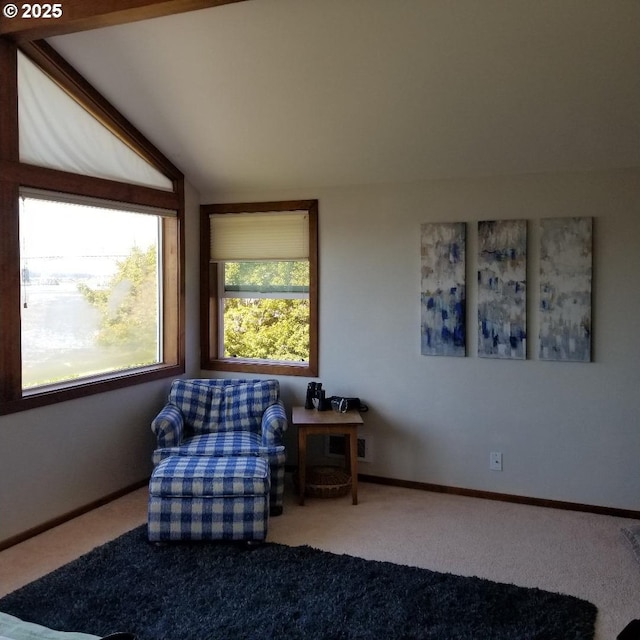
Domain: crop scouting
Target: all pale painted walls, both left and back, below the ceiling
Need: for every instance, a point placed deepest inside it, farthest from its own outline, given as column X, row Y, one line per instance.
column 568, row 431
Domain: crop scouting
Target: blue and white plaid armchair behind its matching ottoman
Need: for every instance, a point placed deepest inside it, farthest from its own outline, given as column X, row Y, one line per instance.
column 225, row 417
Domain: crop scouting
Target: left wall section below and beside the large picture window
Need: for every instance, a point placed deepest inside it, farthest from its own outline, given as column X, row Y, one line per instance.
column 59, row 458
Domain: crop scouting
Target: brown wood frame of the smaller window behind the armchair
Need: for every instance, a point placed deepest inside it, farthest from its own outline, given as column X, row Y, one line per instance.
column 210, row 298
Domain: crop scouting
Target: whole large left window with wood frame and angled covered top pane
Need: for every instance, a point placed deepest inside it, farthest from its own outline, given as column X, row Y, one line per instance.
column 91, row 240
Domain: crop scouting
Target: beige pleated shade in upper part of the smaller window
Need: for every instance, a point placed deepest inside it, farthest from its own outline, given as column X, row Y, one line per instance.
column 259, row 236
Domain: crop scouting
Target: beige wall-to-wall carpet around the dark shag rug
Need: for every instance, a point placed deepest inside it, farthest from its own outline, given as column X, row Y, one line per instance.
column 579, row 554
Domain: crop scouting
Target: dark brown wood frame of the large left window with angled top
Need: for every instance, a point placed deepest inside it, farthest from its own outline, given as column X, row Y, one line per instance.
column 15, row 174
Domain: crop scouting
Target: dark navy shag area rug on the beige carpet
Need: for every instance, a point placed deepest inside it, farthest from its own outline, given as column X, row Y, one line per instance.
column 199, row 591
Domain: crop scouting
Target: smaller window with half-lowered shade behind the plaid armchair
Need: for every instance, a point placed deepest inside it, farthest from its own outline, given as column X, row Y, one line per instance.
column 259, row 271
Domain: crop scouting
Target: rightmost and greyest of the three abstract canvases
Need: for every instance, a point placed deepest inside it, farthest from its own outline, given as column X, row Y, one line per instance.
column 566, row 257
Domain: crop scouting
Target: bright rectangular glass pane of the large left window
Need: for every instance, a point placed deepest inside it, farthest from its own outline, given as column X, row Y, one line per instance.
column 90, row 298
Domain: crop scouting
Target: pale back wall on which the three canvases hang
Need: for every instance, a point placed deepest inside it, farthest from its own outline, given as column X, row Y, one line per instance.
column 568, row 431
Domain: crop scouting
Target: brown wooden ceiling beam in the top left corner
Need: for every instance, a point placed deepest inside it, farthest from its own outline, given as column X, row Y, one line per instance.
column 82, row 15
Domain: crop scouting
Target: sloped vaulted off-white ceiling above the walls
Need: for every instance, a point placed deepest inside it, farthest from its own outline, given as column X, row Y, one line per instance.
column 277, row 94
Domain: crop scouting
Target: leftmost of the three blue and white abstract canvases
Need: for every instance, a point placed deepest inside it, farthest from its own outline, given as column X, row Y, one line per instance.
column 443, row 295
